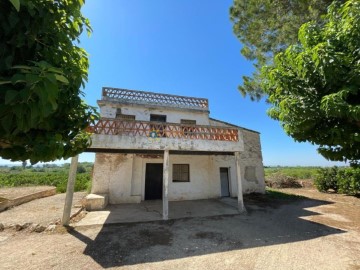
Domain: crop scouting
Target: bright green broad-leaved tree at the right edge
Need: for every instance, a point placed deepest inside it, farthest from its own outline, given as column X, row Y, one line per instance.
column 314, row 87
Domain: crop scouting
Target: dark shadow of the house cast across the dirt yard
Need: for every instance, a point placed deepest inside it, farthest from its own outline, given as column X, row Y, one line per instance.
column 267, row 223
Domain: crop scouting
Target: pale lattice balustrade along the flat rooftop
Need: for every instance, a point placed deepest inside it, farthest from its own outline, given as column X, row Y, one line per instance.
column 146, row 98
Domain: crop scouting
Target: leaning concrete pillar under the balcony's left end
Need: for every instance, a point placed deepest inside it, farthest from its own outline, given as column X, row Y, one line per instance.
column 70, row 191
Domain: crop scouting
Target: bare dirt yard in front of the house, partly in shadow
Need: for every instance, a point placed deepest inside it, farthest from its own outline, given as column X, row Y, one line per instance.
column 321, row 231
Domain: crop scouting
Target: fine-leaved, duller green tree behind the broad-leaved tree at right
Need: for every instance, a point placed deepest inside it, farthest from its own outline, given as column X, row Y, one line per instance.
column 267, row 27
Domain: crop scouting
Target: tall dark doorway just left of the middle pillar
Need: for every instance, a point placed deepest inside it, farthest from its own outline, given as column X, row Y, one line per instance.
column 153, row 181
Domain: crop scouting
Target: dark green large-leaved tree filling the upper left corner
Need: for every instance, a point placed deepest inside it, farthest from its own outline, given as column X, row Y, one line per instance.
column 42, row 116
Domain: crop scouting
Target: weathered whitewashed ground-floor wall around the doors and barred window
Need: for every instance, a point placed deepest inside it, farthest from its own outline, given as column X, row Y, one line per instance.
column 122, row 176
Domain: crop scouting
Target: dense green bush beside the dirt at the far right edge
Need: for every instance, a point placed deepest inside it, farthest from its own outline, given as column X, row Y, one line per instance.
column 344, row 180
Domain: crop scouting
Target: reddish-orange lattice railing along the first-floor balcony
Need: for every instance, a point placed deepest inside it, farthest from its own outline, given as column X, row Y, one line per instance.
column 162, row 130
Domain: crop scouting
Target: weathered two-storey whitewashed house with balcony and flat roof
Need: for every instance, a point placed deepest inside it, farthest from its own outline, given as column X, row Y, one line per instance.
column 153, row 146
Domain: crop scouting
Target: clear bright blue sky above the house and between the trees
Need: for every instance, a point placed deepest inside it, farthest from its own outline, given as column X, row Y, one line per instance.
column 182, row 47
